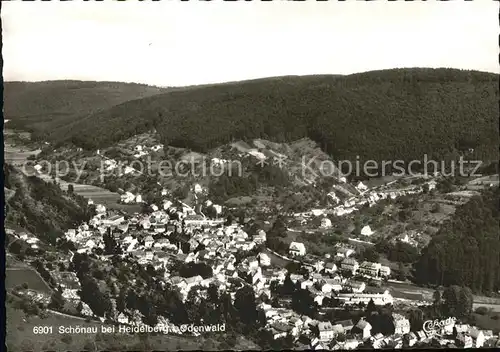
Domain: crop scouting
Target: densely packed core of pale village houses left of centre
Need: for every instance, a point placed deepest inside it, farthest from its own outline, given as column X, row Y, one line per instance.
column 145, row 238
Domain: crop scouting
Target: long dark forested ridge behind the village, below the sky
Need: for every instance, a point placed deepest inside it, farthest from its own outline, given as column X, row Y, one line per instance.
column 399, row 113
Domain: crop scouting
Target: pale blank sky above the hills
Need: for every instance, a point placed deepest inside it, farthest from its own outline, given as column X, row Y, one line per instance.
column 173, row 43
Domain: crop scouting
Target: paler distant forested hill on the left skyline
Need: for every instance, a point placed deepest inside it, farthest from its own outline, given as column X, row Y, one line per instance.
column 40, row 106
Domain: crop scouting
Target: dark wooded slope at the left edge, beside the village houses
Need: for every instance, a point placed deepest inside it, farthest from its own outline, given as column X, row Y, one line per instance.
column 42, row 207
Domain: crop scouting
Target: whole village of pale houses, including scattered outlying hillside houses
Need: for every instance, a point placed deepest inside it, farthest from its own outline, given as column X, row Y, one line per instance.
column 336, row 289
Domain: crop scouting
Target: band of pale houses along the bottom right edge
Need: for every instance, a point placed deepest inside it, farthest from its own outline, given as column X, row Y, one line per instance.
column 345, row 335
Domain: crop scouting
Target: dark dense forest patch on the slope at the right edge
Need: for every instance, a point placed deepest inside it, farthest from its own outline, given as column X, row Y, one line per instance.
column 466, row 251
